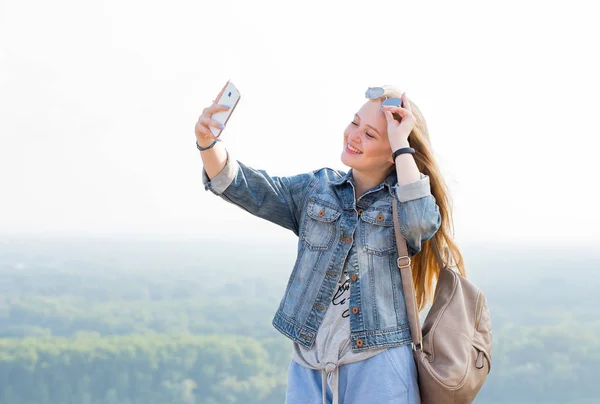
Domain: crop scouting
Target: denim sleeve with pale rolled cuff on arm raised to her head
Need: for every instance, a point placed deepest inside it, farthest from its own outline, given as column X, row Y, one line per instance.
column 419, row 213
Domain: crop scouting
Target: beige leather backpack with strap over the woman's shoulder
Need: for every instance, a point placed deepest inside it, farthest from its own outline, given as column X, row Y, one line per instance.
column 453, row 351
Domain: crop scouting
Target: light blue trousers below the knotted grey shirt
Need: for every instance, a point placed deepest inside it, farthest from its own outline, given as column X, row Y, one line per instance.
column 389, row 377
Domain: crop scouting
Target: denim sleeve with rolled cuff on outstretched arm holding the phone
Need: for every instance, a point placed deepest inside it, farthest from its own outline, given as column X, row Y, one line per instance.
column 273, row 198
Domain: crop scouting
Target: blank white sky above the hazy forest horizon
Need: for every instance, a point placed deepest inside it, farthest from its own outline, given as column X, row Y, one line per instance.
column 98, row 102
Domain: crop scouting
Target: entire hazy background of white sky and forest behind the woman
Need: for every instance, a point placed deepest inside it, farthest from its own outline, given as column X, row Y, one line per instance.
column 109, row 242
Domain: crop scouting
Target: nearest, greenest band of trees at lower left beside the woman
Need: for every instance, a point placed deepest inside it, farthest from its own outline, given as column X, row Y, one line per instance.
column 147, row 369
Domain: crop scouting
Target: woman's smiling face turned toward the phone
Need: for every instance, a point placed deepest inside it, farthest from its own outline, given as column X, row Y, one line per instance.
column 366, row 145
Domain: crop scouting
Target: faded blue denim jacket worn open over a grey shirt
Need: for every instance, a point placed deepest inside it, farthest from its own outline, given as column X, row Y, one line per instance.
column 321, row 209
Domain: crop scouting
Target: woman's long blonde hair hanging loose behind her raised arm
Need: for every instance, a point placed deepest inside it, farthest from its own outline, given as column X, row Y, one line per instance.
column 425, row 268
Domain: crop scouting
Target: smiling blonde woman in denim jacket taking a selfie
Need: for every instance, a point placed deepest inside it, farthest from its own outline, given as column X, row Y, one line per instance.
column 343, row 307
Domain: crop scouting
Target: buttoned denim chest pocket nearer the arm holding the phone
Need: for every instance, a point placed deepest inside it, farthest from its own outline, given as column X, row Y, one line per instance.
column 320, row 224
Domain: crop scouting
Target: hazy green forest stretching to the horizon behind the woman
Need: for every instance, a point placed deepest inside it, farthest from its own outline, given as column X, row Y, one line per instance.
column 138, row 322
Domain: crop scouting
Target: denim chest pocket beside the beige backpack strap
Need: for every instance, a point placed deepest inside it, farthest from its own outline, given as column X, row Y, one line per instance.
column 378, row 231
